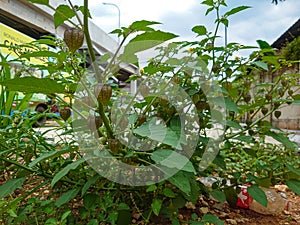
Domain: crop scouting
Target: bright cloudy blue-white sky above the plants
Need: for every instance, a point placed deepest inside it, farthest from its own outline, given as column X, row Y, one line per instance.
column 264, row 20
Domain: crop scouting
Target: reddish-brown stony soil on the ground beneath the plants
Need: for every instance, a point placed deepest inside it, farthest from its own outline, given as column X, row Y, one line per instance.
column 229, row 215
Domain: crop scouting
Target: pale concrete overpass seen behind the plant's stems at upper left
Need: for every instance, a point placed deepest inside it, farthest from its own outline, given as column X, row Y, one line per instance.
column 36, row 20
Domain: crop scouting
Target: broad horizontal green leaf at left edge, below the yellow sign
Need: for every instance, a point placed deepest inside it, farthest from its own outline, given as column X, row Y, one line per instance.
column 34, row 85
